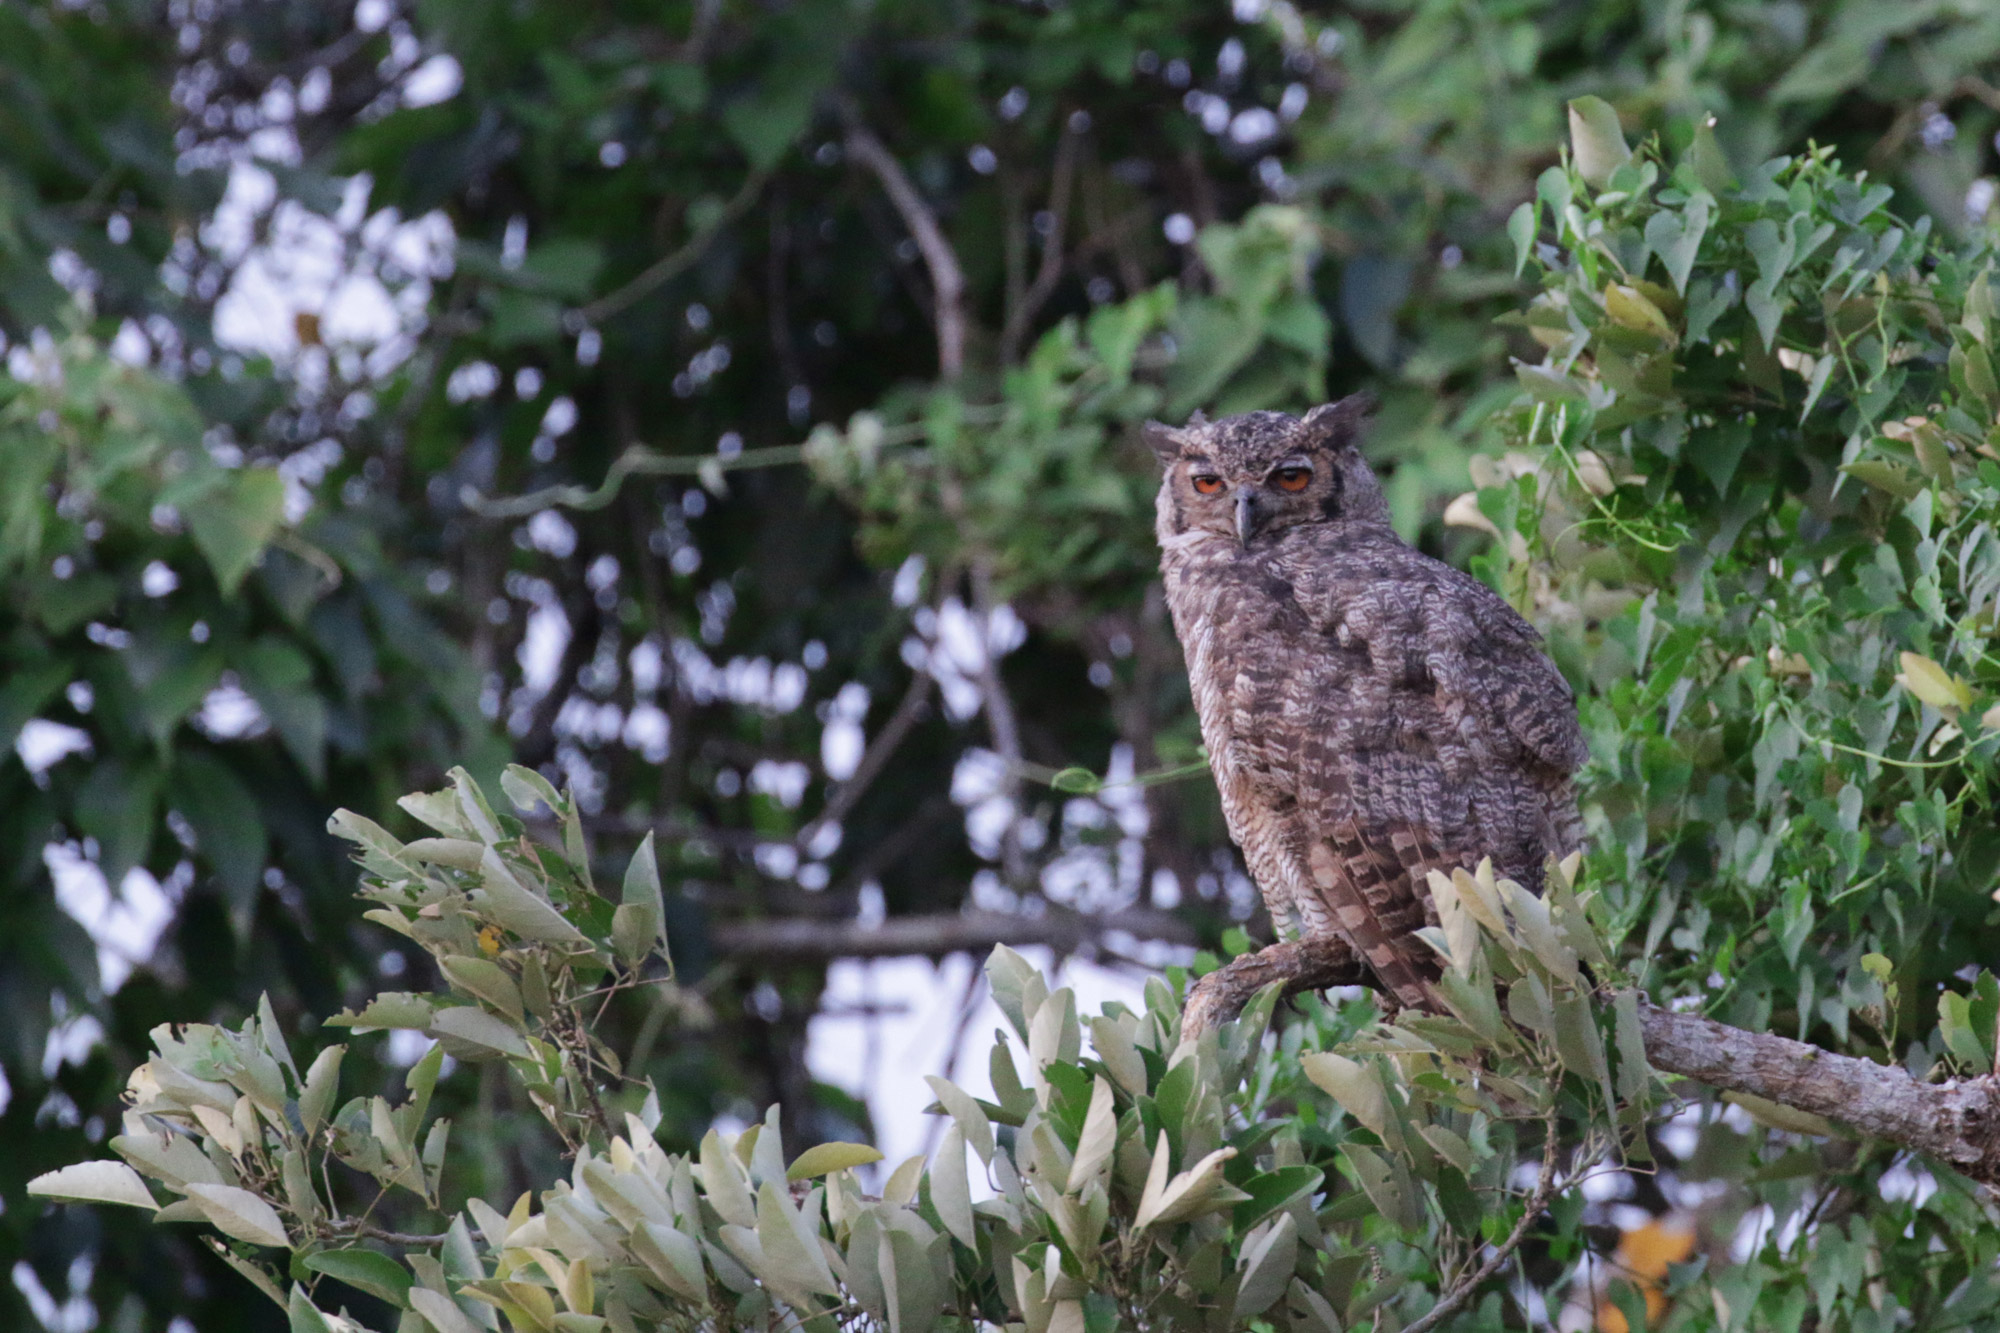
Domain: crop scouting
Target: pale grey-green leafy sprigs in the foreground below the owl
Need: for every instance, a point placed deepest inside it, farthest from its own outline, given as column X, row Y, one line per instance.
column 1149, row 1180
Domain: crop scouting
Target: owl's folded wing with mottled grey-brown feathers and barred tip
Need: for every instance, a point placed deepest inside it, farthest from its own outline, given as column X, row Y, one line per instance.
column 1443, row 736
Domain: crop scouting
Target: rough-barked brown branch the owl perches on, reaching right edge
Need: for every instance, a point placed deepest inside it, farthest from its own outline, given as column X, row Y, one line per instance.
column 1957, row 1122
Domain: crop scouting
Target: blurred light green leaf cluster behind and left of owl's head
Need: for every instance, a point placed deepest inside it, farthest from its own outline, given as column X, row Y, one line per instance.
column 1049, row 485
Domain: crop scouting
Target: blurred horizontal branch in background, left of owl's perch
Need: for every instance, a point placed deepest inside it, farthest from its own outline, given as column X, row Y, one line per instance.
column 793, row 940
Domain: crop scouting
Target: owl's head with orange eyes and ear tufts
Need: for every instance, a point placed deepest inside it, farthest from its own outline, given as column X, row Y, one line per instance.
column 1257, row 475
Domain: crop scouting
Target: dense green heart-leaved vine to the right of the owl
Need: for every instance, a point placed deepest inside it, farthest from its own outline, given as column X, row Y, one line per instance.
column 1753, row 495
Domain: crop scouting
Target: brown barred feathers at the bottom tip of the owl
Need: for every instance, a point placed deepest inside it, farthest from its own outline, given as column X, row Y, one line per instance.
column 1375, row 886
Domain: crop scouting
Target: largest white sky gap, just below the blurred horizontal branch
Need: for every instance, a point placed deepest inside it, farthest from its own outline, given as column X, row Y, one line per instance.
column 885, row 1058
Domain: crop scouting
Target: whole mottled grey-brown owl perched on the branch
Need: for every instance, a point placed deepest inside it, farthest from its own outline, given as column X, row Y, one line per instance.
column 1371, row 716
